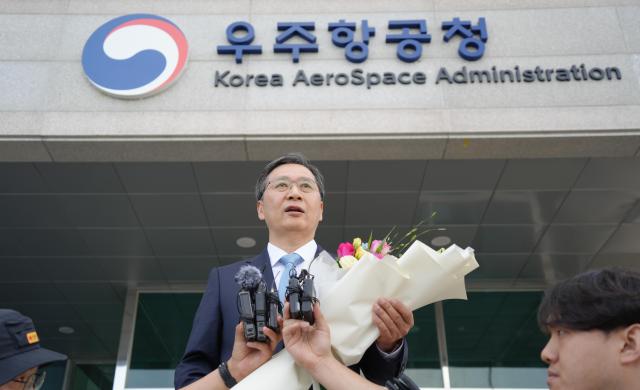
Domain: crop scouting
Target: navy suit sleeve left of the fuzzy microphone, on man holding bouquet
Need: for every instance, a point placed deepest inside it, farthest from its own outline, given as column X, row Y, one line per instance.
column 202, row 354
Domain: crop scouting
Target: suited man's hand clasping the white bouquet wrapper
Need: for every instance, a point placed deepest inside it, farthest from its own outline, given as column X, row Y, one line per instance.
column 394, row 320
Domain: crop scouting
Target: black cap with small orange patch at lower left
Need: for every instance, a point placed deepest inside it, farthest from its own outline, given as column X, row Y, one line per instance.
column 20, row 346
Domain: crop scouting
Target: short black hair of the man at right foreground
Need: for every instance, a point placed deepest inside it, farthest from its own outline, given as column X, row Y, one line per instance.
column 606, row 300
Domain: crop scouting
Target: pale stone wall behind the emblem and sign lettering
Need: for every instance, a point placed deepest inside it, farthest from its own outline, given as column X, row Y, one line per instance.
column 50, row 112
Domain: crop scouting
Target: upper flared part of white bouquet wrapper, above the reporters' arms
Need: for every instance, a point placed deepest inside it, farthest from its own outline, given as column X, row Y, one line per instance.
column 420, row 277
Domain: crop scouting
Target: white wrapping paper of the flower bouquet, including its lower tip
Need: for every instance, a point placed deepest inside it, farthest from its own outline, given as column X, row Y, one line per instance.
column 421, row 276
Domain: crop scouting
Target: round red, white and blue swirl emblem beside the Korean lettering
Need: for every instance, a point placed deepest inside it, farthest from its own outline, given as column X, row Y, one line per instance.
column 134, row 56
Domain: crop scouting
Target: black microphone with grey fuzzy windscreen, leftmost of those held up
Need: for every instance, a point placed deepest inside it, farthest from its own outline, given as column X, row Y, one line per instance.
column 248, row 278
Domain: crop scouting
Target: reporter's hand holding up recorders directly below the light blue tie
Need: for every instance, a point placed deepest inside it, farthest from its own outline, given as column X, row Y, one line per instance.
column 308, row 344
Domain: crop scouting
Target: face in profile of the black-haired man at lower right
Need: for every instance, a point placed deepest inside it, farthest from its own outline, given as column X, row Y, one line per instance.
column 581, row 360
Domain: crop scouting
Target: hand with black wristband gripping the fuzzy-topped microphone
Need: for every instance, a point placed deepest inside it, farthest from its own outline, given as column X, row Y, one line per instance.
column 248, row 356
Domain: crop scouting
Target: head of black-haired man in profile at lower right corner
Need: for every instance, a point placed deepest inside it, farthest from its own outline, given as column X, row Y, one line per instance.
column 593, row 321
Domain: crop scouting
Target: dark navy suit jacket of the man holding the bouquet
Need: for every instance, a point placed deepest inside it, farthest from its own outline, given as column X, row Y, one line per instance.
column 213, row 332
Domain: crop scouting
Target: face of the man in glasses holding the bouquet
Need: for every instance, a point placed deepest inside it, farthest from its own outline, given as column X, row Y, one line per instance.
column 292, row 210
